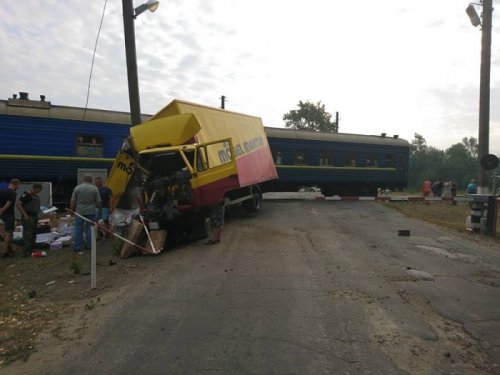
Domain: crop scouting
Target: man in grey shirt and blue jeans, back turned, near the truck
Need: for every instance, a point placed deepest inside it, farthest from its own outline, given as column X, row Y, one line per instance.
column 85, row 200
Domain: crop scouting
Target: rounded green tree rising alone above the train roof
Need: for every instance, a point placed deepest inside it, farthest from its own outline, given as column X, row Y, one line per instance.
column 310, row 116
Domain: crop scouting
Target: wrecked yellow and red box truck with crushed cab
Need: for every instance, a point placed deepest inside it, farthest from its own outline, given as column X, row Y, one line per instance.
column 188, row 158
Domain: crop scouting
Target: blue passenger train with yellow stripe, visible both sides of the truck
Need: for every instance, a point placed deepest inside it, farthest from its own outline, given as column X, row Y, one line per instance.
column 44, row 142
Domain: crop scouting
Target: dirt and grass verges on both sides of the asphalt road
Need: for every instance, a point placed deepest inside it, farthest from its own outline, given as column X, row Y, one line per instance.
column 37, row 294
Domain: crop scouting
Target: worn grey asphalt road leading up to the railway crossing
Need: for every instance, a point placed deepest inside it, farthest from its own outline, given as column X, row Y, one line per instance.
column 305, row 287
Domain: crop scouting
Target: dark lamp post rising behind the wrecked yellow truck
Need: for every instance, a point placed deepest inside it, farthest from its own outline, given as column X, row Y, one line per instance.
column 129, row 15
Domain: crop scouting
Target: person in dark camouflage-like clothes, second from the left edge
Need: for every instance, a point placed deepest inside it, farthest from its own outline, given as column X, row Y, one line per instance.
column 29, row 206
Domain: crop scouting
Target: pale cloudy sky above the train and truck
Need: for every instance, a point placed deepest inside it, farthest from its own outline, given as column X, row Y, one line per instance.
column 397, row 67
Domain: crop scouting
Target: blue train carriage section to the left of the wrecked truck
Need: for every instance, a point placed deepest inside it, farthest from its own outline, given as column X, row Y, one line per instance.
column 43, row 142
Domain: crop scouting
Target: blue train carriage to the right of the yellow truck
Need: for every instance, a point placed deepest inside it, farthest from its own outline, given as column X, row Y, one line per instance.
column 343, row 164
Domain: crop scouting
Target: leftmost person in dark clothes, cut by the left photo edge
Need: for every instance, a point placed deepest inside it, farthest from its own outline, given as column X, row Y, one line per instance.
column 7, row 203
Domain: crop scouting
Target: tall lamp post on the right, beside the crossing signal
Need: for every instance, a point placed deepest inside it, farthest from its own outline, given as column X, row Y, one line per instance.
column 484, row 88
